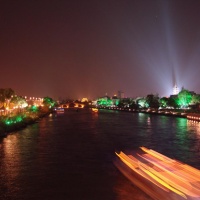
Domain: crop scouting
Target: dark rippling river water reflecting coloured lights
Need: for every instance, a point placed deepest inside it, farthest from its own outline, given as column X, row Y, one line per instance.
column 70, row 156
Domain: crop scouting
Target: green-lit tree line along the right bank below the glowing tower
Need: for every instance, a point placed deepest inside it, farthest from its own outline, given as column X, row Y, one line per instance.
column 184, row 99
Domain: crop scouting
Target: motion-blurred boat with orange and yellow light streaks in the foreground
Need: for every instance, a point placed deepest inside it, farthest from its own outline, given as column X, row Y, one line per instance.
column 160, row 176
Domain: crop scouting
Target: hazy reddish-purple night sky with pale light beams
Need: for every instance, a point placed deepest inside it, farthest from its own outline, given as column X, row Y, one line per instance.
column 76, row 49
